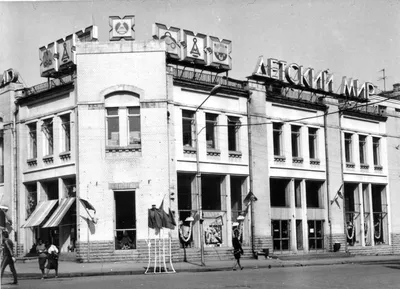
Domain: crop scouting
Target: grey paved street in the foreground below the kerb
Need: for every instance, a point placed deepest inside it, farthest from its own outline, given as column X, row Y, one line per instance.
column 334, row 276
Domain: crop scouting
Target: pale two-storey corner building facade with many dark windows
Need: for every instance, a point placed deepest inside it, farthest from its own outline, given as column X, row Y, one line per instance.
column 90, row 154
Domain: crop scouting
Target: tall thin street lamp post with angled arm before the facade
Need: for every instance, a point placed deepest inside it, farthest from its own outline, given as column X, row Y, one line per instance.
column 213, row 91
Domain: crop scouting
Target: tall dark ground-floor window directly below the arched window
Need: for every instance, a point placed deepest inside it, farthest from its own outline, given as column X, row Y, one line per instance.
column 125, row 220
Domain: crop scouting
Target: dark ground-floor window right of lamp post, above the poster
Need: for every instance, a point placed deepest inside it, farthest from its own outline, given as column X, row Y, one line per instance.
column 211, row 192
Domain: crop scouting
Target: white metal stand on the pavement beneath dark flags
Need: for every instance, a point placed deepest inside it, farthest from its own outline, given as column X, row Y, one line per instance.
column 159, row 249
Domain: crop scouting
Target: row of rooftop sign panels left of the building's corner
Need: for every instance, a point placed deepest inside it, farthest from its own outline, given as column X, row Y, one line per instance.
column 58, row 58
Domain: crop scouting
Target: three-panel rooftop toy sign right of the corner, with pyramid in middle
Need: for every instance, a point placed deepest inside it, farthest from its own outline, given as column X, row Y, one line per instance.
column 188, row 47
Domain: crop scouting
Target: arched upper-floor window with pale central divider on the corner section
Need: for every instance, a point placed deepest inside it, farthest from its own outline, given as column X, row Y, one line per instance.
column 123, row 119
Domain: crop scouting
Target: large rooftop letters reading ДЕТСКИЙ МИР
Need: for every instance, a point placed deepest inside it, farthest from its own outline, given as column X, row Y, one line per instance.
column 306, row 77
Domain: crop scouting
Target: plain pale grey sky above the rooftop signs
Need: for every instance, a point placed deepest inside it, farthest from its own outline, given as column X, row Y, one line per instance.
column 353, row 38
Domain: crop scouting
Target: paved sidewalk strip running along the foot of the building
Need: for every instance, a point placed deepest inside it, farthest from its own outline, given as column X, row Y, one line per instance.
column 67, row 269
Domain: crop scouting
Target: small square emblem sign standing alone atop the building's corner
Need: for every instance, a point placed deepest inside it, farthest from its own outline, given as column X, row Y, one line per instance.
column 122, row 28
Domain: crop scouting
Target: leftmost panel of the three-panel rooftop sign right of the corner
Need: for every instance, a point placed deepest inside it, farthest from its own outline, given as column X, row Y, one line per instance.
column 172, row 38
